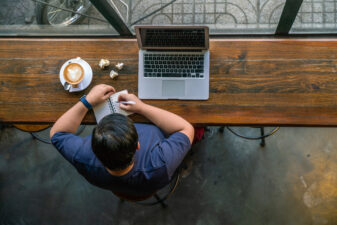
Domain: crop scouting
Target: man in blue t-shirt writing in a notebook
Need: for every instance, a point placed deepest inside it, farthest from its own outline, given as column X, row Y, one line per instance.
column 133, row 160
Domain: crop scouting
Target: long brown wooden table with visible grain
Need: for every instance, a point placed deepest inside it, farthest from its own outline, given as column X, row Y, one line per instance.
column 287, row 82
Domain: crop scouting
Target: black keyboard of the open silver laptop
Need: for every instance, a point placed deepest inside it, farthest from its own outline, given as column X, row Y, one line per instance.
column 174, row 65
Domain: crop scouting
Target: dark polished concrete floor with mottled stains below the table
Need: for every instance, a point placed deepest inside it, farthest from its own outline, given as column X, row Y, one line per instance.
column 293, row 180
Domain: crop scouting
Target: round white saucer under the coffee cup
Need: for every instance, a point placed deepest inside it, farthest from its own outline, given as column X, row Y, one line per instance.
column 87, row 74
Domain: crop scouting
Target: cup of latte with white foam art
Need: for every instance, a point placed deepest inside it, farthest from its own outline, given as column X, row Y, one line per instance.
column 73, row 74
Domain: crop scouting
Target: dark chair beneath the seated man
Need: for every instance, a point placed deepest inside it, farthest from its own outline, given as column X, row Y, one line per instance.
column 158, row 199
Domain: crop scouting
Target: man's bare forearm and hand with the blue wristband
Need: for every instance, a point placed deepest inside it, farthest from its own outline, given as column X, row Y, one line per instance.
column 70, row 120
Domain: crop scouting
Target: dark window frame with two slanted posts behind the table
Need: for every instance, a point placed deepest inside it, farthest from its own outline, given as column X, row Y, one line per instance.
column 287, row 18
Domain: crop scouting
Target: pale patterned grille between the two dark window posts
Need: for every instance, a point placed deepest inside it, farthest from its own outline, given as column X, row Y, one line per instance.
column 227, row 14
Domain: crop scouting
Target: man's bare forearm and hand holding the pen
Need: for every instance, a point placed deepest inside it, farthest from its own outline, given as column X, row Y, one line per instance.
column 165, row 120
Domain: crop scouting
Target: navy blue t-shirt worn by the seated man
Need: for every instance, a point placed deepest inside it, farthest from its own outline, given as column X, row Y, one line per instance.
column 155, row 161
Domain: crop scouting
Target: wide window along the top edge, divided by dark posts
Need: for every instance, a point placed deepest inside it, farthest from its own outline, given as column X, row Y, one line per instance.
column 118, row 17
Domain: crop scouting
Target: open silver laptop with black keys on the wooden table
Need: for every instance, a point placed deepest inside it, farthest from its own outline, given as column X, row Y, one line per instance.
column 173, row 62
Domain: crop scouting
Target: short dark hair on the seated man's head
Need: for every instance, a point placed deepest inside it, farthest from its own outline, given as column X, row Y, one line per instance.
column 114, row 141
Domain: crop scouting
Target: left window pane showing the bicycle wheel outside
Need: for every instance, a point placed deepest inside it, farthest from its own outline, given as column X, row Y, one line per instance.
column 39, row 17
